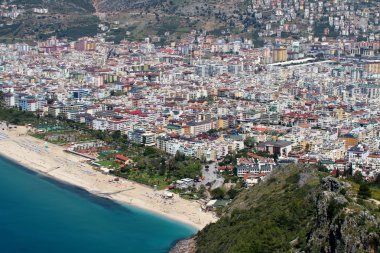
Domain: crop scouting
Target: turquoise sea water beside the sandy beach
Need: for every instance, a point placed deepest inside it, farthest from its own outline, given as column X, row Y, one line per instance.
column 38, row 215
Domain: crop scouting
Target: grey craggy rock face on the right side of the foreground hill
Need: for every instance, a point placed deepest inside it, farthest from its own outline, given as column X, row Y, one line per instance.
column 336, row 227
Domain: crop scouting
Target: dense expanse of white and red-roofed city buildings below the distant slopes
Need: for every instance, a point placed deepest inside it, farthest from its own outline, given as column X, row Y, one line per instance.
column 205, row 96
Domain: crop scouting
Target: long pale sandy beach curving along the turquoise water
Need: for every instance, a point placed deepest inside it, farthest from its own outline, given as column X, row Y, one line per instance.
column 56, row 163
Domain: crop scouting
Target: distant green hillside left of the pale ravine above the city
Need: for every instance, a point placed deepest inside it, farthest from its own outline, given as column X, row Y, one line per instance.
column 27, row 20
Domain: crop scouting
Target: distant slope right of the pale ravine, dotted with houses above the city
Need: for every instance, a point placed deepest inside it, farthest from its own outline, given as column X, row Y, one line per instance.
column 261, row 21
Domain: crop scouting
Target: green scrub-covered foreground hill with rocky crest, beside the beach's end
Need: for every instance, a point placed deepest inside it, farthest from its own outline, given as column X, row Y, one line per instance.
column 298, row 209
